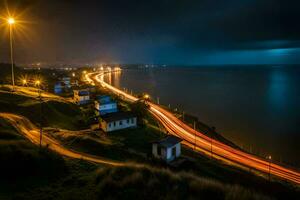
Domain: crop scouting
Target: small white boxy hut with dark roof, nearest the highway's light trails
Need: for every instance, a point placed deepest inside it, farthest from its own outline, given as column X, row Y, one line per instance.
column 167, row 149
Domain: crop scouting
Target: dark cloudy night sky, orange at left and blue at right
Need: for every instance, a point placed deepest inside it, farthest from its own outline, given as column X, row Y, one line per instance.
column 191, row 32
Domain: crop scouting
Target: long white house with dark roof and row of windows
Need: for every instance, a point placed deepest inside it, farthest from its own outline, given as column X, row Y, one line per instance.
column 118, row 120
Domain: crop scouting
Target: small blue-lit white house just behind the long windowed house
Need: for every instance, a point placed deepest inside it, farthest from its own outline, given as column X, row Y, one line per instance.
column 105, row 105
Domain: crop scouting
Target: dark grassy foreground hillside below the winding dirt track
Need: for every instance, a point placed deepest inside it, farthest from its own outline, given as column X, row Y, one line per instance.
column 30, row 173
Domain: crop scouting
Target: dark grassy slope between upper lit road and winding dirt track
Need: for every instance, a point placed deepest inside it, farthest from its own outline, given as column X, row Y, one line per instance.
column 53, row 112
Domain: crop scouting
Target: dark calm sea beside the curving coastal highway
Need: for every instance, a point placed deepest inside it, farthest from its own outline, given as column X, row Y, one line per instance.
column 256, row 107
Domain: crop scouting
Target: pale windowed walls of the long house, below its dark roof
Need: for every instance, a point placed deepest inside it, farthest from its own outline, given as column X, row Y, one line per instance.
column 113, row 126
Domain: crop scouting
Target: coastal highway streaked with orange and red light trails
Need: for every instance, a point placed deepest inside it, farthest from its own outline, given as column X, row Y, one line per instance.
column 199, row 140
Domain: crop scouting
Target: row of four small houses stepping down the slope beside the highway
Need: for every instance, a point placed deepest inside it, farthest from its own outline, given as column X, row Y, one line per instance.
column 111, row 119
